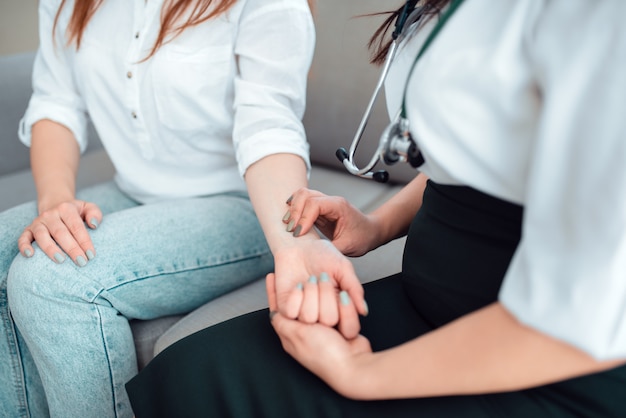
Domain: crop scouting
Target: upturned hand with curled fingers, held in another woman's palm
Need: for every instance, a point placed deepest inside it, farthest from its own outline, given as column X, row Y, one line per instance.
column 311, row 281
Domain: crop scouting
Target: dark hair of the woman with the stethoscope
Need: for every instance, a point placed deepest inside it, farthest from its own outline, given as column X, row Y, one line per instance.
column 380, row 42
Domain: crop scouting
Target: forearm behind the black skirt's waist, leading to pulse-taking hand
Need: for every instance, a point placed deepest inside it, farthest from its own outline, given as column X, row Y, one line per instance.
column 395, row 215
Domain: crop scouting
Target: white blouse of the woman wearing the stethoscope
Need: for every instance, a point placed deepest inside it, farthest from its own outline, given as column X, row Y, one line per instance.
column 525, row 100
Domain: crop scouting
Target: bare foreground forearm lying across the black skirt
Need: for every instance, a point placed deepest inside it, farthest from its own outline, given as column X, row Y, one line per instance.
column 484, row 352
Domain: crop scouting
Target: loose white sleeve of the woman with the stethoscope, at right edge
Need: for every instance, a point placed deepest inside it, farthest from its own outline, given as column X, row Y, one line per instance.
column 568, row 276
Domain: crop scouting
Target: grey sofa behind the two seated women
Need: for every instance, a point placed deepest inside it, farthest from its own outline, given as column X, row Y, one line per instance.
column 341, row 81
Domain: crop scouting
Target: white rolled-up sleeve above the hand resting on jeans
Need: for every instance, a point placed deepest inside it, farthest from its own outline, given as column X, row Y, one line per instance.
column 55, row 96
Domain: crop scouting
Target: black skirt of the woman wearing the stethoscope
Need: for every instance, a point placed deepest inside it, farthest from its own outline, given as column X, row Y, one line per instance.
column 457, row 251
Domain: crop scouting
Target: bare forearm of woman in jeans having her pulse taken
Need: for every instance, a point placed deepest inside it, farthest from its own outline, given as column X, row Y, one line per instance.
column 270, row 182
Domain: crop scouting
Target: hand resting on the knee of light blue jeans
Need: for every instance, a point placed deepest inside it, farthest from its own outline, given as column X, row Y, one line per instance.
column 61, row 230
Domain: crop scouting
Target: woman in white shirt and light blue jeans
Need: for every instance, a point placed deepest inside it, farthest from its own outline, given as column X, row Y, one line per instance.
column 198, row 104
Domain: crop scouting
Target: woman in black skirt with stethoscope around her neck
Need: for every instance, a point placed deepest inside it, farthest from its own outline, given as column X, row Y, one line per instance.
column 512, row 298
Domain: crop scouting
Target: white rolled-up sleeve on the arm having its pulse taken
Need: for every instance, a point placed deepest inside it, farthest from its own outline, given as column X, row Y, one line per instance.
column 274, row 49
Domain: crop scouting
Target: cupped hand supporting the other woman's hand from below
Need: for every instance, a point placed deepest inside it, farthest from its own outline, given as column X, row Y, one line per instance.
column 323, row 350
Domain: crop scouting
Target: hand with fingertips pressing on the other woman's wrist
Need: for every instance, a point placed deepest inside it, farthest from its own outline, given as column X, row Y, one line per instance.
column 351, row 231
